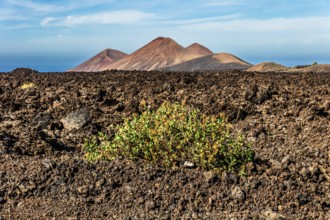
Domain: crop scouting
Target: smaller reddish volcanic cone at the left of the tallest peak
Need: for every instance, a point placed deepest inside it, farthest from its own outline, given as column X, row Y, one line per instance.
column 100, row 61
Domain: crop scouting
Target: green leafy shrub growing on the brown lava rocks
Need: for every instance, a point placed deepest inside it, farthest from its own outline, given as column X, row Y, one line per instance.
column 174, row 134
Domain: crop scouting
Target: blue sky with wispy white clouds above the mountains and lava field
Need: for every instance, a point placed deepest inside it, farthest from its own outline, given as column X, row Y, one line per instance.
column 59, row 34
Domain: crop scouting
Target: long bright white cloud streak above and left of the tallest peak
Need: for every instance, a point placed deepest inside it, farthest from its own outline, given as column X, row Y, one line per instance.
column 113, row 17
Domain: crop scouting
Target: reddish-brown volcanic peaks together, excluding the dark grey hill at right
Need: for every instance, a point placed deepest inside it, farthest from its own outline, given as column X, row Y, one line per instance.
column 158, row 53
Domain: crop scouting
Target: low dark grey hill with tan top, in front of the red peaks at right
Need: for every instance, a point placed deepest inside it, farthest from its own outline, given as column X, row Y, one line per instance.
column 214, row 62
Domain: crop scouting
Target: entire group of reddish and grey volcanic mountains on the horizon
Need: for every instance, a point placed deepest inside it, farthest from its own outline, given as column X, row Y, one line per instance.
column 164, row 53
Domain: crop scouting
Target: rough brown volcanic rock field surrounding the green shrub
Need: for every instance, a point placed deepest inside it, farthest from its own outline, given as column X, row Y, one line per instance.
column 42, row 130
